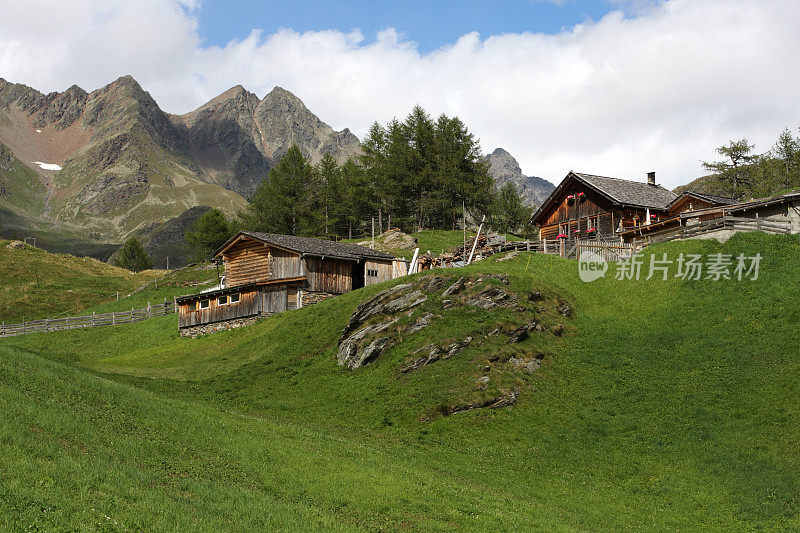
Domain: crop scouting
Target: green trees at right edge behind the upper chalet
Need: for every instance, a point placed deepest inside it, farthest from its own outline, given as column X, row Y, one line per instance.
column 743, row 173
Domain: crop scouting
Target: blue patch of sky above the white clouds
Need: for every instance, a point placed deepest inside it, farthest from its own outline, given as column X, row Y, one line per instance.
column 431, row 24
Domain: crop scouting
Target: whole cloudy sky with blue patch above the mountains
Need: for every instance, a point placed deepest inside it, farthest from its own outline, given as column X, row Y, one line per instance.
column 611, row 87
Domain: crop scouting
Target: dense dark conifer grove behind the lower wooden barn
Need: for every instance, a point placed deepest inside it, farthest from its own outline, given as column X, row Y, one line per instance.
column 416, row 174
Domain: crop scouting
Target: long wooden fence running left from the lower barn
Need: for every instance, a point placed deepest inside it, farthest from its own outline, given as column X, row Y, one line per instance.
column 87, row 321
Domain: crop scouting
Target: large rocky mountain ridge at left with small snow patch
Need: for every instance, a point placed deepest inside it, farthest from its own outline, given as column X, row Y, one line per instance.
column 113, row 163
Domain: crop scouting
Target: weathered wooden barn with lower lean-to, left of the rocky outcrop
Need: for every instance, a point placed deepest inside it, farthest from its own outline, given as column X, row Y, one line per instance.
column 267, row 273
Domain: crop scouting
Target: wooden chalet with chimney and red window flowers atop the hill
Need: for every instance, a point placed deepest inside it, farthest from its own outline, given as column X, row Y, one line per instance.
column 588, row 206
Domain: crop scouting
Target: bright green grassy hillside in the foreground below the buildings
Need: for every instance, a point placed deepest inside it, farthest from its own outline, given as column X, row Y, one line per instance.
column 663, row 405
